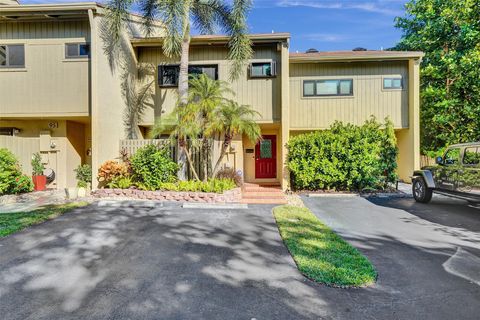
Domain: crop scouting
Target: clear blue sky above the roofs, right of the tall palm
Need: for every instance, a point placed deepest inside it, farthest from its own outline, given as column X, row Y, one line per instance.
column 325, row 25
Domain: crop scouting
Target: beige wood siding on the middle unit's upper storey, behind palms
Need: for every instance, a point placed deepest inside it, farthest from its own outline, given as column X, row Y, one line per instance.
column 262, row 94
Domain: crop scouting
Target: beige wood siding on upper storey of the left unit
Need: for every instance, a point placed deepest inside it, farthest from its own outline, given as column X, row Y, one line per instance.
column 49, row 84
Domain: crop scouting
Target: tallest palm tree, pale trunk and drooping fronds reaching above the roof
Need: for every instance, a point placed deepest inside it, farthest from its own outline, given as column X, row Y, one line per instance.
column 178, row 17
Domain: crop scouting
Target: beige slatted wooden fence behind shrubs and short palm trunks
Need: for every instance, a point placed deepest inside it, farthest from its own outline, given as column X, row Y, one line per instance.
column 131, row 146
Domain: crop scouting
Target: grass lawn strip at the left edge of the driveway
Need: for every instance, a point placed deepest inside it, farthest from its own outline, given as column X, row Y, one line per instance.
column 13, row 222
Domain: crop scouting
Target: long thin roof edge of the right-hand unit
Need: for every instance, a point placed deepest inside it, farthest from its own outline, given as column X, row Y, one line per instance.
column 370, row 55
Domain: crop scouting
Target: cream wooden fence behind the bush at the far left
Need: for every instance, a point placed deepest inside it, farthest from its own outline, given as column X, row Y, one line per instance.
column 22, row 148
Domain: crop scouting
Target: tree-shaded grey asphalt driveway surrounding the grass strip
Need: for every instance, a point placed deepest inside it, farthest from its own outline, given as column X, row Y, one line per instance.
column 175, row 263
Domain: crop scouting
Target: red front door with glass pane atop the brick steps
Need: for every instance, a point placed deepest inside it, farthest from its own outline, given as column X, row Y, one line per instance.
column 266, row 158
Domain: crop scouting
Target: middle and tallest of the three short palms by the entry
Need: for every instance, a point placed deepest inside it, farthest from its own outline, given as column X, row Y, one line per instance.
column 206, row 96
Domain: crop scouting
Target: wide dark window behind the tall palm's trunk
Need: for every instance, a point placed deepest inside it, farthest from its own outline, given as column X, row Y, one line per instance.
column 168, row 74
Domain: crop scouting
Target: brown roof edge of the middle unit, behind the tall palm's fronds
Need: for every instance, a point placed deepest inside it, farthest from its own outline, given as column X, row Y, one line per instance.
column 215, row 39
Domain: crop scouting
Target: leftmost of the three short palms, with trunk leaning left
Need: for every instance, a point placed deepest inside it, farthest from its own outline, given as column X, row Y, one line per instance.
column 183, row 125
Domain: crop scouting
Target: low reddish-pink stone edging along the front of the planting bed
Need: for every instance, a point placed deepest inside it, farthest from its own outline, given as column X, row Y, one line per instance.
column 230, row 196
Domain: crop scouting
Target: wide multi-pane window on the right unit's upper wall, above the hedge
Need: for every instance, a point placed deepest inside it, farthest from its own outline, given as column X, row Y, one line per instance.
column 318, row 88
